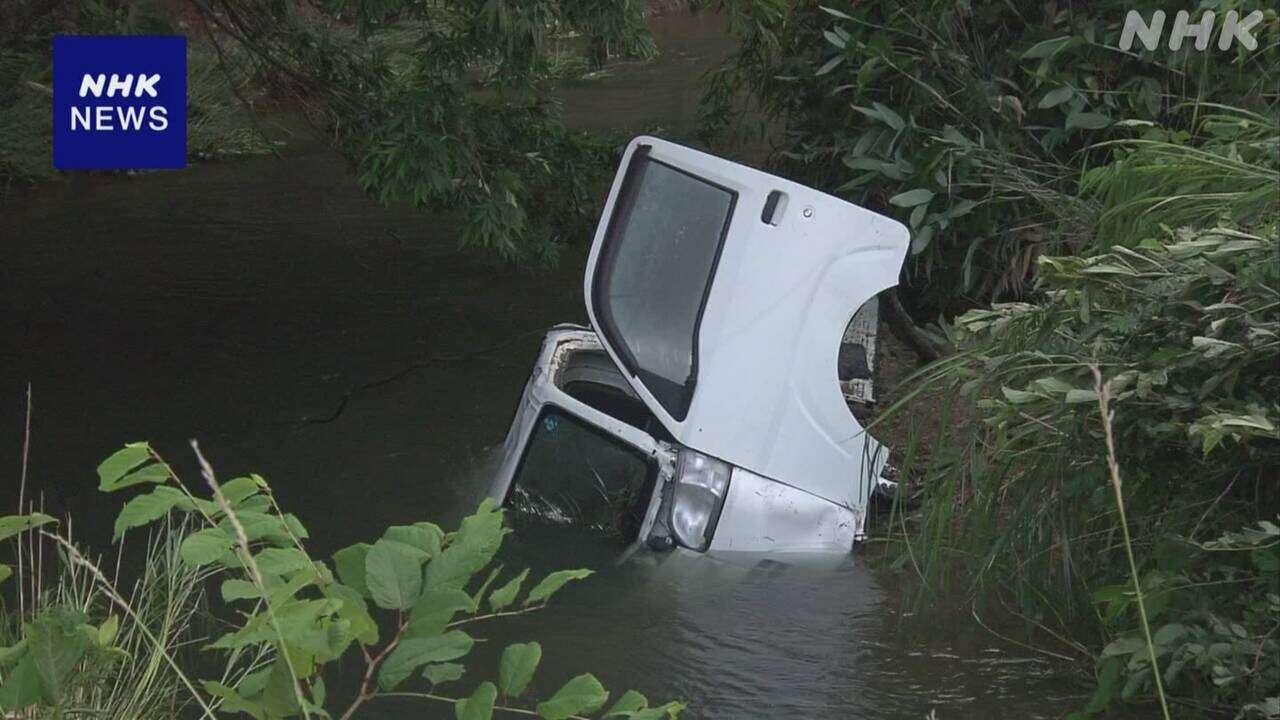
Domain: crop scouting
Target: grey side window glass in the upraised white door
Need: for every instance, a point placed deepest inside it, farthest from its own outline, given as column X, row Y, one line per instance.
column 655, row 272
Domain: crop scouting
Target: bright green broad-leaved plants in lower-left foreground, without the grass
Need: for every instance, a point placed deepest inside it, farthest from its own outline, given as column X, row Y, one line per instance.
column 404, row 604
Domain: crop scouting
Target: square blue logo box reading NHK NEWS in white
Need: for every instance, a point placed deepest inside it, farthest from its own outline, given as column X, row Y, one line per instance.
column 120, row 102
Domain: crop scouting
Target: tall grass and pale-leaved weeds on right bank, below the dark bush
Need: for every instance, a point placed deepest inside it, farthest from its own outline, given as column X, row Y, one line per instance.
column 1177, row 303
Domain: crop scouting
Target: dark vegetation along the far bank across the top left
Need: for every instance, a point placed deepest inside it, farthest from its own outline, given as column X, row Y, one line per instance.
column 442, row 106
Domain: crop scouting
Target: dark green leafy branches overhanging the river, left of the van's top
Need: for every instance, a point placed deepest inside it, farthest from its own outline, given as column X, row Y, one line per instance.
column 447, row 106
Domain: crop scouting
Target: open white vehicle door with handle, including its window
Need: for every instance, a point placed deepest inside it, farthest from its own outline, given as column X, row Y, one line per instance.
column 723, row 293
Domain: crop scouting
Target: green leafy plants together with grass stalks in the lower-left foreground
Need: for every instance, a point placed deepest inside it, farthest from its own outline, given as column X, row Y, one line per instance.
column 404, row 607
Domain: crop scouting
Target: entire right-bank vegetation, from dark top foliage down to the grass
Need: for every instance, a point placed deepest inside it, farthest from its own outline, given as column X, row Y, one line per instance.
column 1089, row 225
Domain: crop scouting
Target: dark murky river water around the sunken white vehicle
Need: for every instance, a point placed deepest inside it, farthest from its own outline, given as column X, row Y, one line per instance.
column 237, row 303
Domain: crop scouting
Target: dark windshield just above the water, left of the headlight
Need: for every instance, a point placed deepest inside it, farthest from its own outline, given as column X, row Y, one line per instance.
column 574, row 473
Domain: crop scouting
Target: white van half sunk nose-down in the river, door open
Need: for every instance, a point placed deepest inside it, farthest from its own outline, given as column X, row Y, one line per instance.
column 703, row 408
